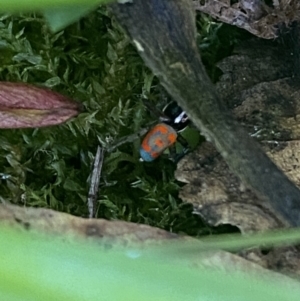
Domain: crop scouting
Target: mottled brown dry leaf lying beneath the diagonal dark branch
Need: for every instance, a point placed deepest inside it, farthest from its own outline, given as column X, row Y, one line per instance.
column 260, row 88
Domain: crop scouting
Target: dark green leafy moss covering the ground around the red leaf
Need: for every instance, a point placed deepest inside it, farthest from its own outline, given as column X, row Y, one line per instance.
column 94, row 63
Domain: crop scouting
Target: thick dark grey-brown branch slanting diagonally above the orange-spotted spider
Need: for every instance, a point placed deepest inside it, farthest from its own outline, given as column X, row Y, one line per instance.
column 164, row 33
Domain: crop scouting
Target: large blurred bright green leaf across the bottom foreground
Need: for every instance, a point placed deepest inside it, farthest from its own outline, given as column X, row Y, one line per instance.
column 34, row 268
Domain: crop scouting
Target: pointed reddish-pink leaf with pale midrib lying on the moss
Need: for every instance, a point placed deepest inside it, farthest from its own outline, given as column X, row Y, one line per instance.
column 23, row 106
